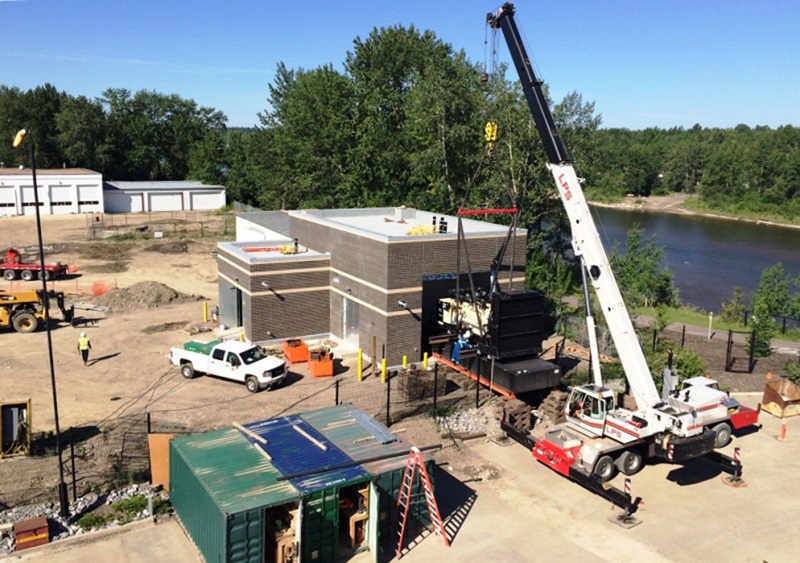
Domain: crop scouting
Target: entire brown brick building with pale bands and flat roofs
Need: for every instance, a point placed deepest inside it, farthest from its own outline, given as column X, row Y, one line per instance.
column 361, row 275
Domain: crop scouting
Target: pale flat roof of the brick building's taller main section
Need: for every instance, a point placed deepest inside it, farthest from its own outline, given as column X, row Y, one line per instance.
column 398, row 223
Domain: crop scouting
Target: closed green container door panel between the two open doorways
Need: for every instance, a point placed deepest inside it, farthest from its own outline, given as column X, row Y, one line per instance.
column 320, row 534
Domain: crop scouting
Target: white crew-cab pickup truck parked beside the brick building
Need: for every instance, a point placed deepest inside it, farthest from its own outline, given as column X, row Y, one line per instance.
column 232, row 359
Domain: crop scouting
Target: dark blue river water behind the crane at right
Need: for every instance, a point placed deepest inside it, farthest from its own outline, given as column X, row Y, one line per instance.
column 708, row 256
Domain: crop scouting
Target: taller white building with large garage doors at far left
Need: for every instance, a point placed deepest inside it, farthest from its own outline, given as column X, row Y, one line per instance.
column 61, row 191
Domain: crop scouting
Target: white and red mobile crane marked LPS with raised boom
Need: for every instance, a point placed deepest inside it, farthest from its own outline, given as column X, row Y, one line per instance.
column 600, row 437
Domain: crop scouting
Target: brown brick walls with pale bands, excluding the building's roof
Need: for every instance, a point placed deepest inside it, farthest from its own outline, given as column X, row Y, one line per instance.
column 364, row 270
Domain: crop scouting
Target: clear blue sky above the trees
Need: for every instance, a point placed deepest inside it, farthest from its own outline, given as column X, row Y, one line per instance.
column 644, row 63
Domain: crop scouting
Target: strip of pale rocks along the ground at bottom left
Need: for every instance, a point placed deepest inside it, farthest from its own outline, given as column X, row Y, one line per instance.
column 61, row 528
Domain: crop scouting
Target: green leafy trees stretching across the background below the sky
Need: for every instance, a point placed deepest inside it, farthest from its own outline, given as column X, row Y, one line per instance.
column 402, row 124
